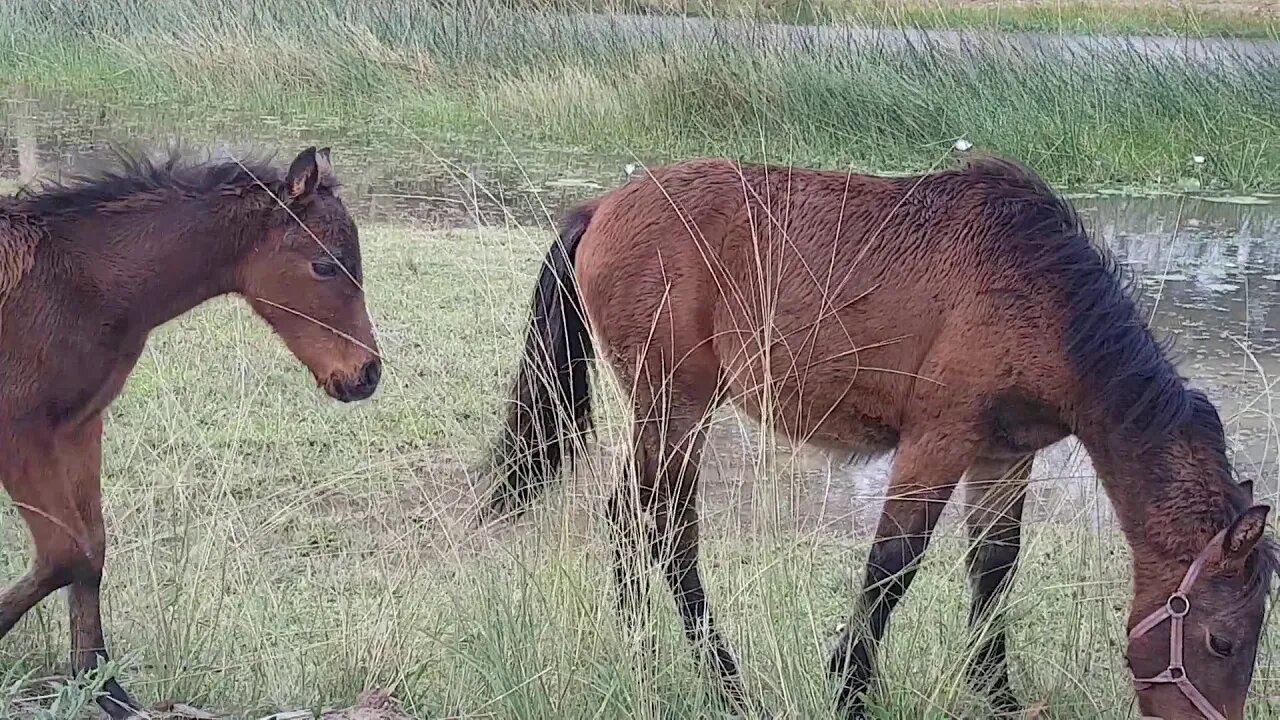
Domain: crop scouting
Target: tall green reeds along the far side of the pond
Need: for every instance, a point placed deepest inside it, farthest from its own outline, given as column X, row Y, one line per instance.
column 473, row 69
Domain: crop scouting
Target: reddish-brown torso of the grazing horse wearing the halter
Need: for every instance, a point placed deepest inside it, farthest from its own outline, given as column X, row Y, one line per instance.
column 849, row 306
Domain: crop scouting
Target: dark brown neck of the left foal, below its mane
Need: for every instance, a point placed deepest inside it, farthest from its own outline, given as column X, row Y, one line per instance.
column 158, row 263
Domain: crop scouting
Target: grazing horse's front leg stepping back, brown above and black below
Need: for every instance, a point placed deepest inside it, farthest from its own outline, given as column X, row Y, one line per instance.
column 925, row 473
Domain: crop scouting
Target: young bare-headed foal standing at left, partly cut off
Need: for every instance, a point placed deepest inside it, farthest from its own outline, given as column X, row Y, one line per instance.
column 88, row 270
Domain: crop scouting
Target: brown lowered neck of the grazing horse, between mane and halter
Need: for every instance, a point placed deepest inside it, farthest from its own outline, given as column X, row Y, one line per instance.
column 1172, row 495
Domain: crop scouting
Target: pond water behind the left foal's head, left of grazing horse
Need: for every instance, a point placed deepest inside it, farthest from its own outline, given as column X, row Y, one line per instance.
column 435, row 181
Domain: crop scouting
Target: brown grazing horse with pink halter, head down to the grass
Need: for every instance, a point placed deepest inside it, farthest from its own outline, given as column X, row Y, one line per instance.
column 961, row 318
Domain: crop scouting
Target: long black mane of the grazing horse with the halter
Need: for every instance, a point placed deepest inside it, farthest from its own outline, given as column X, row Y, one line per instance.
column 1108, row 340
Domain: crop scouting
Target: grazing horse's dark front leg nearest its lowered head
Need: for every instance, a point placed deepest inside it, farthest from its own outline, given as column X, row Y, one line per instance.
column 996, row 493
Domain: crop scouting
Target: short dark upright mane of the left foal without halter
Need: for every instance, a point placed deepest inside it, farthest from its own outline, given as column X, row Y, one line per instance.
column 138, row 177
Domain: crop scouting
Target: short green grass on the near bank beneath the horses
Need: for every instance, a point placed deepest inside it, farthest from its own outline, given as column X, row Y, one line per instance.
column 273, row 550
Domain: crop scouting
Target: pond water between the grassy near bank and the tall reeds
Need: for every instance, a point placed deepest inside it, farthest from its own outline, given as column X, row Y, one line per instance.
column 1210, row 271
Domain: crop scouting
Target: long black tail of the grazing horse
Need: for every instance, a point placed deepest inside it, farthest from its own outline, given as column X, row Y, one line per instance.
column 550, row 408
